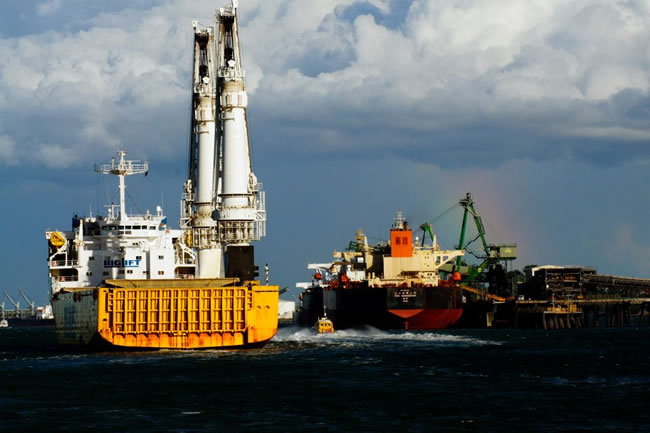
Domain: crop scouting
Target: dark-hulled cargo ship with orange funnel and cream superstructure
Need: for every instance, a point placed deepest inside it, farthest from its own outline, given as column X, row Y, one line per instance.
column 393, row 285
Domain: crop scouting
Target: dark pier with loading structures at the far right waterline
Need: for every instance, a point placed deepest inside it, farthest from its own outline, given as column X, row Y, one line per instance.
column 560, row 297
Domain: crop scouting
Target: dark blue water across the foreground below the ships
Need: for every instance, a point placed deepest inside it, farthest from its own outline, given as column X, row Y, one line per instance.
column 582, row 380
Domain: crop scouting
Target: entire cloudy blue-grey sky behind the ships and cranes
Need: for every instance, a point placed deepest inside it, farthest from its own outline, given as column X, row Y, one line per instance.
column 539, row 108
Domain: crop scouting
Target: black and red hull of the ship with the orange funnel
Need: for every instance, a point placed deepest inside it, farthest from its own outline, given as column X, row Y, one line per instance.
column 410, row 308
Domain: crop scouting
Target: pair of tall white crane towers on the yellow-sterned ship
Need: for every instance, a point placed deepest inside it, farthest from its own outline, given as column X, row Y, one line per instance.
column 224, row 205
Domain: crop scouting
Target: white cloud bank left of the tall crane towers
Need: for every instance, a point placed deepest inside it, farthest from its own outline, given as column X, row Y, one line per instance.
column 93, row 90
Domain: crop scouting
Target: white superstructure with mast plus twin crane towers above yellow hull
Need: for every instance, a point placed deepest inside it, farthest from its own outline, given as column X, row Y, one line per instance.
column 222, row 207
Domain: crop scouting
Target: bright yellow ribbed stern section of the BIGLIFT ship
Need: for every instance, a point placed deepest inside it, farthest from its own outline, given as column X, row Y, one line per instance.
column 188, row 317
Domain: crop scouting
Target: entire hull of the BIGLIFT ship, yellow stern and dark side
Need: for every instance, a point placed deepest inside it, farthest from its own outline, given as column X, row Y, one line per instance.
column 192, row 315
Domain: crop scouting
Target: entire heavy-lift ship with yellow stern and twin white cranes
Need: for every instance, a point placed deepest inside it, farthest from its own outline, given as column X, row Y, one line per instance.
column 131, row 281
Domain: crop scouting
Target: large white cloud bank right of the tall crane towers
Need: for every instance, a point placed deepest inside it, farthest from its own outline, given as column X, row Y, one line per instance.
column 546, row 67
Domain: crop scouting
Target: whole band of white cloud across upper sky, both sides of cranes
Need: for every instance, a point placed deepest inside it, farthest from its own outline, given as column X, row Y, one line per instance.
column 470, row 72
